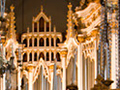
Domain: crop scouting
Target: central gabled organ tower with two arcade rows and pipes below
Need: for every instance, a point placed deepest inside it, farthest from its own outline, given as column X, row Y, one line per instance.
column 41, row 53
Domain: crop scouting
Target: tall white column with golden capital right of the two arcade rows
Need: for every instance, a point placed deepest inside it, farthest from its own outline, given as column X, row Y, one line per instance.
column 63, row 54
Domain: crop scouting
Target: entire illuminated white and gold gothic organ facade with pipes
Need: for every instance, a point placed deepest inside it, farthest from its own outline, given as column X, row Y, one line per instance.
column 50, row 64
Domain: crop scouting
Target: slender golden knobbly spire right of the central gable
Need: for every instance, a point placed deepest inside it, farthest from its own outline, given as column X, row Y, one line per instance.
column 70, row 25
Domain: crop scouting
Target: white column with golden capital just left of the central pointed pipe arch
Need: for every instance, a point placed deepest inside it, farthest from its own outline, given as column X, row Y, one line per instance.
column 30, row 76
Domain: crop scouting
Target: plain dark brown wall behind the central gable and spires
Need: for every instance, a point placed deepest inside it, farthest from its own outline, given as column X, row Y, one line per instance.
column 26, row 9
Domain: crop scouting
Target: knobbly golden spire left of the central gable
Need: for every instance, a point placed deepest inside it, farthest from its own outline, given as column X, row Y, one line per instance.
column 11, row 31
